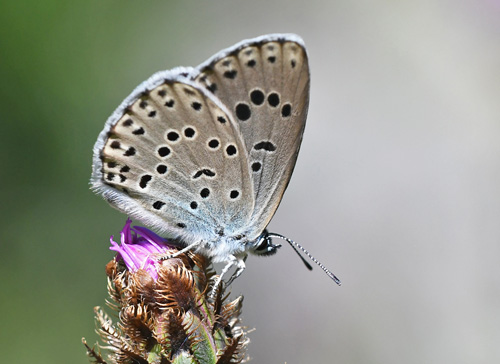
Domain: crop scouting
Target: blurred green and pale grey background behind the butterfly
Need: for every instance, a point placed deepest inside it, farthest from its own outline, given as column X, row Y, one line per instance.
column 396, row 189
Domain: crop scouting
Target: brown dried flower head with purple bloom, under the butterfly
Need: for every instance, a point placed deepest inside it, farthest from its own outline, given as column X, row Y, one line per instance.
column 165, row 315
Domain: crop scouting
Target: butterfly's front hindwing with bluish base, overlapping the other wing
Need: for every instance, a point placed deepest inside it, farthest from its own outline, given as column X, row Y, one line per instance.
column 171, row 156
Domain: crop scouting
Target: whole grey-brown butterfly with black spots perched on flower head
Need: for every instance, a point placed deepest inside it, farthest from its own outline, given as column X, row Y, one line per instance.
column 205, row 154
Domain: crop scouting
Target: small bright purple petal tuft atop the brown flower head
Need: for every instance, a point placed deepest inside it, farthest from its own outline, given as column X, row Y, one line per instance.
column 140, row 249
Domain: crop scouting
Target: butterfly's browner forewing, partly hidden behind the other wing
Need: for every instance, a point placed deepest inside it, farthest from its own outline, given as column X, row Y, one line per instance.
column 264, row 82
